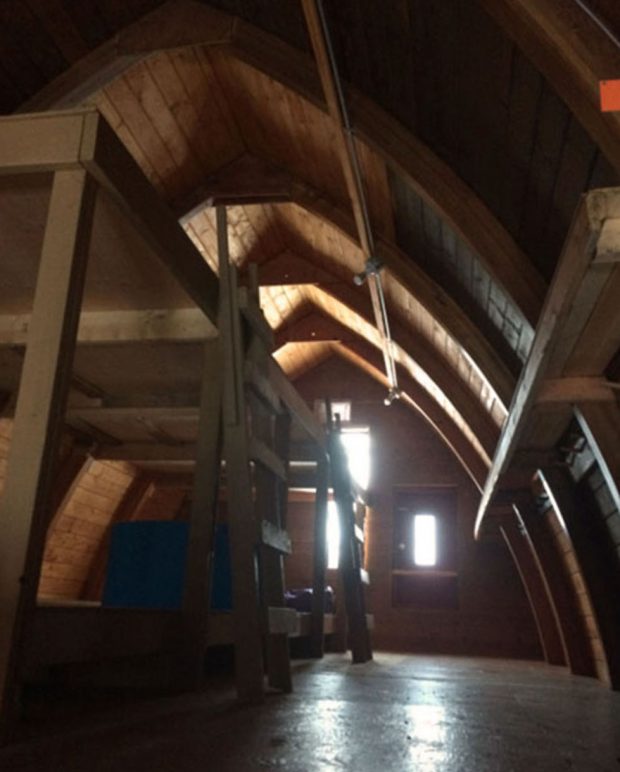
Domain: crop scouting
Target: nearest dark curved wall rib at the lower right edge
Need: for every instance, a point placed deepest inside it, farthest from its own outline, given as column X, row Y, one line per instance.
column 598, row 565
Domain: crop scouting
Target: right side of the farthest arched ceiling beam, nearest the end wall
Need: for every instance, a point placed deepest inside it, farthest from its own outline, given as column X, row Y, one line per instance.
column 362, row 355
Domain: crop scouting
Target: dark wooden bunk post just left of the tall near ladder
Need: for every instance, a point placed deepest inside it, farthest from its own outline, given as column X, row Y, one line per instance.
column 197, row 594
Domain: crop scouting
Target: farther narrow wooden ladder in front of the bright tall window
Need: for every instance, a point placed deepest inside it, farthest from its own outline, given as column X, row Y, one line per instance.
column 352, row 573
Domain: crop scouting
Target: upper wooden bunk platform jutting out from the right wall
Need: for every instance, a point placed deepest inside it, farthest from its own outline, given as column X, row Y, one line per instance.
column 575, row 340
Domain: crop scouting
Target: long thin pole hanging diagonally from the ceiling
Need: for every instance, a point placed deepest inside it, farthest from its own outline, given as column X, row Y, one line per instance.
column 318, row 30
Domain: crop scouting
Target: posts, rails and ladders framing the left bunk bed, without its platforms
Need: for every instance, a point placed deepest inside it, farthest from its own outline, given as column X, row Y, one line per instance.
column 84, row 159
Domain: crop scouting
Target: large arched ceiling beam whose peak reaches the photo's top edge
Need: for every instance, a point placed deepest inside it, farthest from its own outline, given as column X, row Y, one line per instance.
column 181, row 23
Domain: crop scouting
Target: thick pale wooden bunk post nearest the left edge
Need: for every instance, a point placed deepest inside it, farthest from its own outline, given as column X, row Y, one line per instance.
column 39, row 416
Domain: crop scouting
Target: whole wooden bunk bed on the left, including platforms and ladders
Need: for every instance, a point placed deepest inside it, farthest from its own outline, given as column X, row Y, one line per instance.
column 112, row 252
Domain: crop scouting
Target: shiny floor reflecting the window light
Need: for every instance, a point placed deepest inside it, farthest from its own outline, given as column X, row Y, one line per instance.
column 395, row 713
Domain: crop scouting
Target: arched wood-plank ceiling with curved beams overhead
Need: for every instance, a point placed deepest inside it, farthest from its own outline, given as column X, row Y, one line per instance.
column 442, row 86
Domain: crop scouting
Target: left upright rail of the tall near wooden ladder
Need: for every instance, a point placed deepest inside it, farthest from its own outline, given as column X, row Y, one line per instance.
column 249, row 666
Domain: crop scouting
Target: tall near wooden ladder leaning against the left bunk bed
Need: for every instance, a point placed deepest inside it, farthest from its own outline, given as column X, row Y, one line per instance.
column 256, row 428
